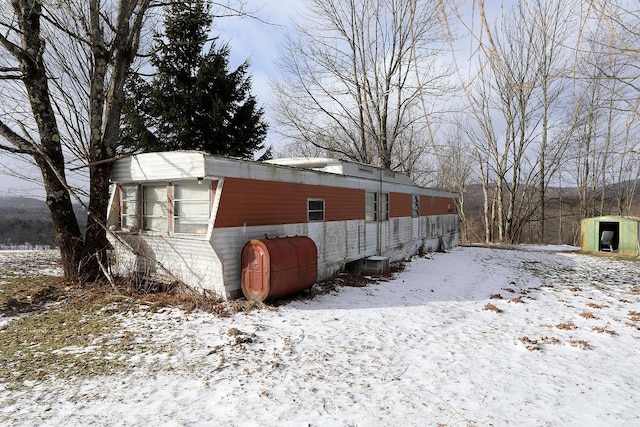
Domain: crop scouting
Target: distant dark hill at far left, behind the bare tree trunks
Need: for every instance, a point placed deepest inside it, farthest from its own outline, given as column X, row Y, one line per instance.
column 25, row 220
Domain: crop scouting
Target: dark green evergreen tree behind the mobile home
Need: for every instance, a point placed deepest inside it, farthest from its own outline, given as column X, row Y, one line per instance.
column 194, row 101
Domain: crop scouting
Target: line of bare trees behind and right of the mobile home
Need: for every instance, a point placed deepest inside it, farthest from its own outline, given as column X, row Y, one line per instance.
column 511, row 100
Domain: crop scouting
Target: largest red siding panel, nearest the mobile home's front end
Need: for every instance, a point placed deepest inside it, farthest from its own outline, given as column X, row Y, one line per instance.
column 254, row 202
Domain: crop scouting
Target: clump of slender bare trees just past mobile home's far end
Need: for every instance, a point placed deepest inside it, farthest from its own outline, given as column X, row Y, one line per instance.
column 515, row 100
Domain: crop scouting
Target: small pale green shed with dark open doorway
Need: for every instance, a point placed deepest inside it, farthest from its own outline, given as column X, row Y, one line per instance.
column 611, row 234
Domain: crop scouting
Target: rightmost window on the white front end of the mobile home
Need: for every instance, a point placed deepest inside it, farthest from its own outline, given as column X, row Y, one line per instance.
column 191, row 207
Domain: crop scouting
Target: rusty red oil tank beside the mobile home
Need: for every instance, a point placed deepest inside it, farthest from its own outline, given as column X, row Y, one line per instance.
column 272, row 268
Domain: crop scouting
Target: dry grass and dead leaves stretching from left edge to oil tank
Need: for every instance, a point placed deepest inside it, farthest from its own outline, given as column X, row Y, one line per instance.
column 66, row 330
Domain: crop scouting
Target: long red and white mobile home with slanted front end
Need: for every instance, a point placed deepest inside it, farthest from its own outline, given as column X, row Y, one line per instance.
column 188, row 214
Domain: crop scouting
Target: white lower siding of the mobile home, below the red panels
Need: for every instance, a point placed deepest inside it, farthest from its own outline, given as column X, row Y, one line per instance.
column 215, row 265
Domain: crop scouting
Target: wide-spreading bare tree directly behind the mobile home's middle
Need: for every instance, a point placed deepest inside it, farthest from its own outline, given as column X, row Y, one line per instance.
column 350, row 86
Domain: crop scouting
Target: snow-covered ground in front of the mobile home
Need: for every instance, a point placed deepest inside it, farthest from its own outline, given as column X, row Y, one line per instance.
column 473, row 337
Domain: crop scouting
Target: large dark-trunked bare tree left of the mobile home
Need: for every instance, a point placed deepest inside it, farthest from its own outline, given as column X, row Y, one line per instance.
column 69, row 59
